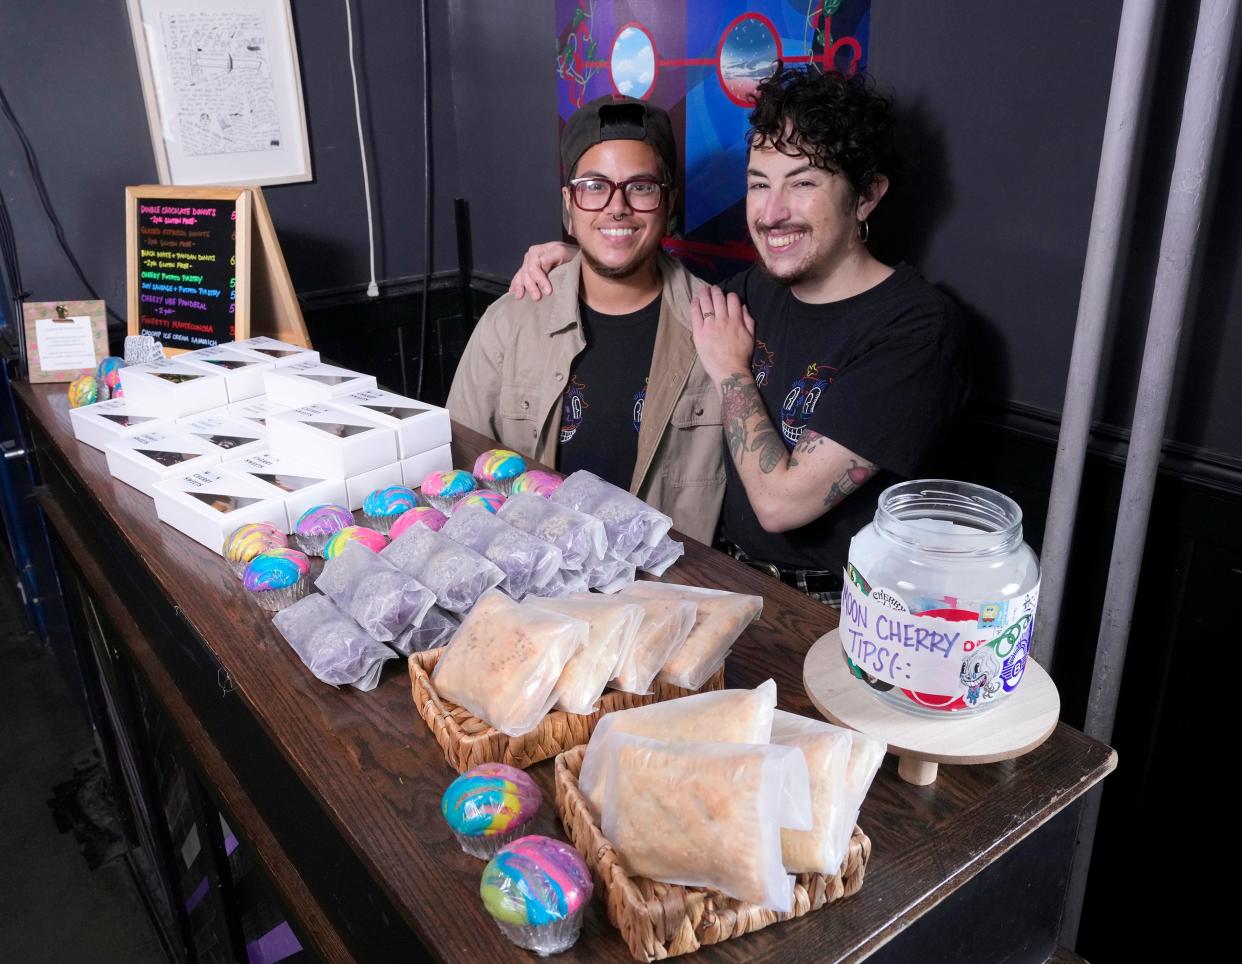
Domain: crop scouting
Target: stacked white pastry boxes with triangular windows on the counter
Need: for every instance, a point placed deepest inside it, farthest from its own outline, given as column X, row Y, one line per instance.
column 259, row 432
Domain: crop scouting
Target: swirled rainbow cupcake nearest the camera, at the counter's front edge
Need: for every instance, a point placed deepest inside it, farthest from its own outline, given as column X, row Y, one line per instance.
column 537, row 889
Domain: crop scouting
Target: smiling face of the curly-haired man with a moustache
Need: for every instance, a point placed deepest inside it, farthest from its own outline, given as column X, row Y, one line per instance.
column 804, row 221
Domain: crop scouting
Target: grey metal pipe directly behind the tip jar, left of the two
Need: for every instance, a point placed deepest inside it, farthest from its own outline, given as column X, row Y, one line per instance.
column 1132, row 80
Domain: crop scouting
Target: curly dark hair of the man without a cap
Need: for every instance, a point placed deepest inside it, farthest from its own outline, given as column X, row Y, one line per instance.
column 843, row 125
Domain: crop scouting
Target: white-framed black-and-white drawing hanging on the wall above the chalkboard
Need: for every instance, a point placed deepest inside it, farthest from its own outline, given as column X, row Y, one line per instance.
column 223, row 91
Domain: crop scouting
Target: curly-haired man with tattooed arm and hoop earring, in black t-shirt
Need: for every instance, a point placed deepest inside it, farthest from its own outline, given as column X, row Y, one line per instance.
column 835, row 371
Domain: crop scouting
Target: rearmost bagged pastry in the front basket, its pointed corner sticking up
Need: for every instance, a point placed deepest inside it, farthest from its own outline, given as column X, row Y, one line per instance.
column 723, row 716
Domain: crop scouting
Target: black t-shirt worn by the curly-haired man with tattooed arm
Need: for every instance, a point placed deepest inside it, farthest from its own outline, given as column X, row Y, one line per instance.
column 881, row 373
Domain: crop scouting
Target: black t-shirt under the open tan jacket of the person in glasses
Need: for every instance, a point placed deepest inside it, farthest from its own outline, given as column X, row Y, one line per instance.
column 602, row 409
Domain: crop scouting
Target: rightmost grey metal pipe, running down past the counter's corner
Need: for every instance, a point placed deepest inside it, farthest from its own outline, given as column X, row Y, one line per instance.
column 1179, row 242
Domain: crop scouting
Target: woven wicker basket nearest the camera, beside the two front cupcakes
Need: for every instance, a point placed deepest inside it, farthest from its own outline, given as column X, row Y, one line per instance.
column 661, row 921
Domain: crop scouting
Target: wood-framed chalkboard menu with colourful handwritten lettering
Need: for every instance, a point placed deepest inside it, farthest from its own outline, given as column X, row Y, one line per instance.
column 189, row 265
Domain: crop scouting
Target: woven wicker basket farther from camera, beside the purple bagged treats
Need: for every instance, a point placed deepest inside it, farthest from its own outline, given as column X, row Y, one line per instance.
column 468, row 741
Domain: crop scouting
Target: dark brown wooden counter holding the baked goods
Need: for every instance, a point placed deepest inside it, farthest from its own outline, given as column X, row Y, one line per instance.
column 337, row 792
